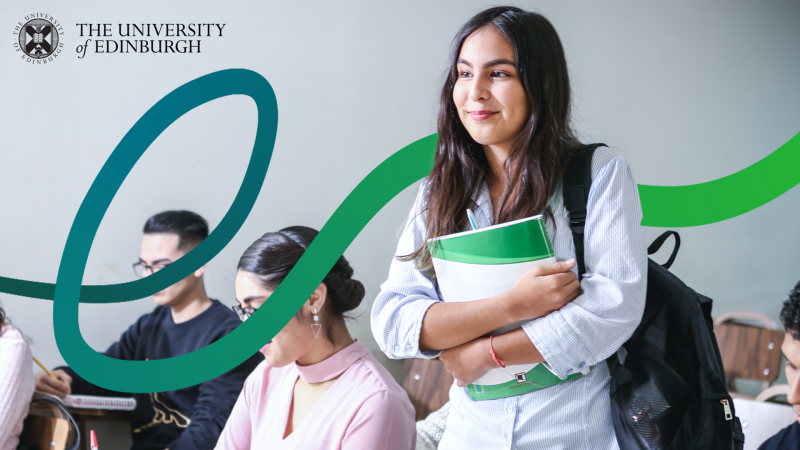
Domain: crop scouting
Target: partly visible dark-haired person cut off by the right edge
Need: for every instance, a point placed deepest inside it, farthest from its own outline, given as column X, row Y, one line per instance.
column 789, row 437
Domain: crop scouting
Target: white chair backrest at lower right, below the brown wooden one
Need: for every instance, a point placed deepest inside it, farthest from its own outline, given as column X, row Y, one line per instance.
column 761, row 421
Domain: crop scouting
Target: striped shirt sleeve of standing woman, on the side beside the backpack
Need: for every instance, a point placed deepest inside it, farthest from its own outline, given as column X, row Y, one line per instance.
column 588, row 330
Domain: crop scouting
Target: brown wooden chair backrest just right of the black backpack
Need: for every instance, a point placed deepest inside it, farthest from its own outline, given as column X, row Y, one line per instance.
column 749, row 352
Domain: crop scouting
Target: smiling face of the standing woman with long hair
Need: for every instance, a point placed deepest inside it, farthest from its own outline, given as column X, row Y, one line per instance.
column 488, row 93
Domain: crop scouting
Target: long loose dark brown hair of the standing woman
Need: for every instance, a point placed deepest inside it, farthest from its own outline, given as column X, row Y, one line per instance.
column 536, row 163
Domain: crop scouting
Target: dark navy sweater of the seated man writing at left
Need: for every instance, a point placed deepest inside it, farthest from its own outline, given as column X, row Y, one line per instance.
column 185, row 419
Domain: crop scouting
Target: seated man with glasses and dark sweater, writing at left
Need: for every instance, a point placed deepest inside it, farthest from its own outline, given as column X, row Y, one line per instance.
column 184, row 320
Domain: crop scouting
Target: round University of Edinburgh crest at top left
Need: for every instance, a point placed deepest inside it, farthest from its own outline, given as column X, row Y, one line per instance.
column 39, row 38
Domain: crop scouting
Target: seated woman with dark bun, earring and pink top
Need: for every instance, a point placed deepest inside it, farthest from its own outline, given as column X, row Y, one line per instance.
column 318, row 388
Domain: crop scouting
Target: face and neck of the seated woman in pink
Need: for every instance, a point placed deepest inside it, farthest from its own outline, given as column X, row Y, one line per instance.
column 294, row 341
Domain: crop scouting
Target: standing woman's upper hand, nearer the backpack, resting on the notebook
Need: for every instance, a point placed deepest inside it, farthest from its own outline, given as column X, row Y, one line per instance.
column 542, row 290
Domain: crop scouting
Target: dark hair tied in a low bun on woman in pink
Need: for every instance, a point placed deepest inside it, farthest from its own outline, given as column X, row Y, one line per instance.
column 273, row 256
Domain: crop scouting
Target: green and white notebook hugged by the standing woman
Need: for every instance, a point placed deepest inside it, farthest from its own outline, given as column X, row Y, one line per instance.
column 485, row 262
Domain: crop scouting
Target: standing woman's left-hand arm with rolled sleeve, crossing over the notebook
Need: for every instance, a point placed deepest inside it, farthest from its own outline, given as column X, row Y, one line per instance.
column 409, row 320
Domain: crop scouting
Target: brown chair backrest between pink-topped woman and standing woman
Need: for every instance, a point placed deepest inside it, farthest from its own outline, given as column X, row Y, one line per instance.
column 427, row 384
